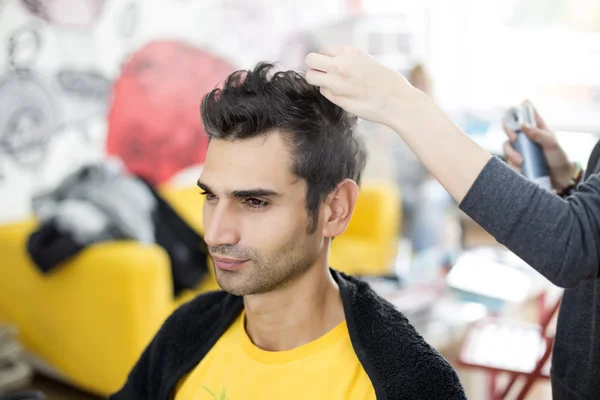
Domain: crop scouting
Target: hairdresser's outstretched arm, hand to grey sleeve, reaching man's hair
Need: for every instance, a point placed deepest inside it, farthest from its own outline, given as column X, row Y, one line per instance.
column 560, row 238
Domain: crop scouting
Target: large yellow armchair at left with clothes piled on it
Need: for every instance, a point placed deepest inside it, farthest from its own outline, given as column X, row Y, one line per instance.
column 90, row 319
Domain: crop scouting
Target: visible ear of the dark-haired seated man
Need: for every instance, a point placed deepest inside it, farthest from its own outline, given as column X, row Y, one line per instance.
column 339, row 206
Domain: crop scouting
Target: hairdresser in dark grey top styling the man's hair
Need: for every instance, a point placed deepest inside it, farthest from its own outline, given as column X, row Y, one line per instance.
column 559, row 235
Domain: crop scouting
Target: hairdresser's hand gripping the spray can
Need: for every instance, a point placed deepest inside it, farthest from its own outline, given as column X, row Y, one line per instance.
column 561, row 169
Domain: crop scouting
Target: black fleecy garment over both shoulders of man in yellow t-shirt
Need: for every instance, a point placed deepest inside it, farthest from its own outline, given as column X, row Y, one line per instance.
column 398, row 361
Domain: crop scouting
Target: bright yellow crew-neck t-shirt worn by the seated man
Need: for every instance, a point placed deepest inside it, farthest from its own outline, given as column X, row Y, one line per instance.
column 235, row 369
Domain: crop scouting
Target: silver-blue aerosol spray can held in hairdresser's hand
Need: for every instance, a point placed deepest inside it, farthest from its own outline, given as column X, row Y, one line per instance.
column 535, row 167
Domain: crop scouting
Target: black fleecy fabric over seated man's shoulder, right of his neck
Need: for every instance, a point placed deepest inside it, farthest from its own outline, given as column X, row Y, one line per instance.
column 401, row 358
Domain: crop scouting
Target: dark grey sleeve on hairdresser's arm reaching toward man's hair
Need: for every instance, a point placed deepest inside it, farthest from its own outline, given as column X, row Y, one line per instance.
column 558, row 237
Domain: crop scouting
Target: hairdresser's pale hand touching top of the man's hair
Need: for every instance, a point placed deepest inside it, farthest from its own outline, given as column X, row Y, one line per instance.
column 359, row 84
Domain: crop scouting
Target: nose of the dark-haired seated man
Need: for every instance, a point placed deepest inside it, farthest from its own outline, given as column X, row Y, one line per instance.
column 221, row 226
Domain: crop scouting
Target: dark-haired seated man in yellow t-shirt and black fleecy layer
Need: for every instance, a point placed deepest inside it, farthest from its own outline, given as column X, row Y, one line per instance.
column 280, row 181
